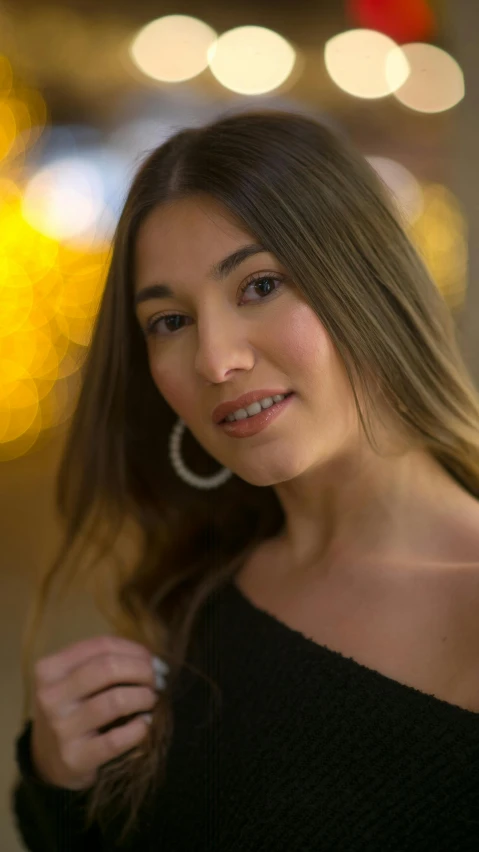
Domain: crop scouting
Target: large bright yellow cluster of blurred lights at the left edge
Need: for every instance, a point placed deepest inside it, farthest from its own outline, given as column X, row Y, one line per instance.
column 49, row 298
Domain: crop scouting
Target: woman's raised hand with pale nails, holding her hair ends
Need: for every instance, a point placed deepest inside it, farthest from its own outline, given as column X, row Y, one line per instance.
column 78, row 692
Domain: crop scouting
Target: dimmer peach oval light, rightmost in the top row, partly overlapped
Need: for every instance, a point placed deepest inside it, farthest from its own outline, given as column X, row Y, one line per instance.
column 436, row 82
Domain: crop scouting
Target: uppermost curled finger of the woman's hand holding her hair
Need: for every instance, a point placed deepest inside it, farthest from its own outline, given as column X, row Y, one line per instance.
column 55, row 667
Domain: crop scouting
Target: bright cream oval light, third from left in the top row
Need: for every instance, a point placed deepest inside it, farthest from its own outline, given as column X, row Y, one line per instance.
column 357, row 62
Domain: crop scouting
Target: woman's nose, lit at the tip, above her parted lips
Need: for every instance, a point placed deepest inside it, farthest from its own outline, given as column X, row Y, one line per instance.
column 222, row 346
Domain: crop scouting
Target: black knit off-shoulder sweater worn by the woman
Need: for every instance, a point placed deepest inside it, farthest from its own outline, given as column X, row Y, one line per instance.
column 307, row 750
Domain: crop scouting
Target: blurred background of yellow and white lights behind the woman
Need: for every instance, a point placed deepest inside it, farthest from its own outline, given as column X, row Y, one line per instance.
column 87, row 89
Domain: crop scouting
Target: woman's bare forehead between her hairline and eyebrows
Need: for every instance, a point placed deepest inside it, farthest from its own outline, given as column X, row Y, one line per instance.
column 185, row 236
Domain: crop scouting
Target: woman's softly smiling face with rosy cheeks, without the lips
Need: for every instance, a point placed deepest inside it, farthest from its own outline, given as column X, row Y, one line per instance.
column 220, row 343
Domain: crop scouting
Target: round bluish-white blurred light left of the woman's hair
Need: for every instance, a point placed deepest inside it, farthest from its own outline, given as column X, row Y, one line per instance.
column 64, row 200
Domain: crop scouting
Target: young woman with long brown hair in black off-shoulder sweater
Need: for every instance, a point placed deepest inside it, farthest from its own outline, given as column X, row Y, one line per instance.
column 312, row 604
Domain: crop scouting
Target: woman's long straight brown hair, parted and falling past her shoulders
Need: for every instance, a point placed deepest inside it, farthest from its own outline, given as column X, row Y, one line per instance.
column 318, row 206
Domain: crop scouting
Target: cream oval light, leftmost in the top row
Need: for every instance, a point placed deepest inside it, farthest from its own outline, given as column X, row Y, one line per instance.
column 173, row 48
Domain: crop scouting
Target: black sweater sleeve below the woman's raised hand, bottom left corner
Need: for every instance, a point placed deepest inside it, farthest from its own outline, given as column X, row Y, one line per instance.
column 48, row 818
